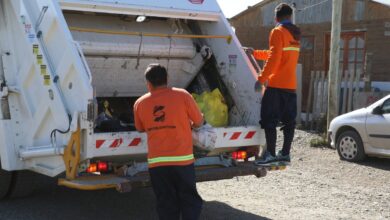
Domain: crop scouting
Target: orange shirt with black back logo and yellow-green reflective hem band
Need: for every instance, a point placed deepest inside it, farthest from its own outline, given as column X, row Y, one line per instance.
column 166, row 115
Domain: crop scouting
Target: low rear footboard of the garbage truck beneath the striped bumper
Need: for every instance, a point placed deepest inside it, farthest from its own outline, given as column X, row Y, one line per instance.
column 126, row 184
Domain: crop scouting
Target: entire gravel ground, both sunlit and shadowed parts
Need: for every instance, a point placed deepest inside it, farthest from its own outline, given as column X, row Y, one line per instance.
column 316, row 186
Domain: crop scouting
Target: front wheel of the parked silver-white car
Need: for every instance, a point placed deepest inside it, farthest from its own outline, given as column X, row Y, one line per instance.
column 350, row 146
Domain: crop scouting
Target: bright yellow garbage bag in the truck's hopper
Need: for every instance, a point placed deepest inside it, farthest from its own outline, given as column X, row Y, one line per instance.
column 213, row 106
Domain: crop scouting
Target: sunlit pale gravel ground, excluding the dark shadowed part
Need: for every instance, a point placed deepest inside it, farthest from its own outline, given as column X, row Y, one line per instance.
column 316, row 186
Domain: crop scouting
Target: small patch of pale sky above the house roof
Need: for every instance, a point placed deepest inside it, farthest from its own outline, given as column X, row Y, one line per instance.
column 233, row 7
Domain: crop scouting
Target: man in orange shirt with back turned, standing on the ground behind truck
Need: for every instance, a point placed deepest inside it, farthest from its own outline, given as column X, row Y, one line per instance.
column 167, row 115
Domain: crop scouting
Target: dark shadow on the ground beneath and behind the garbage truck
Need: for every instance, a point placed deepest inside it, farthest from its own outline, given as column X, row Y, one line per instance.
column 50, row 202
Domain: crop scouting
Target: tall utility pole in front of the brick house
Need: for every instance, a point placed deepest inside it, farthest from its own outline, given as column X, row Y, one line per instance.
column 334, row 75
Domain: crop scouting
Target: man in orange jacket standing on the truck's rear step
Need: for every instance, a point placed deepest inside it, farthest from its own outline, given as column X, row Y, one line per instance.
column 279, row 103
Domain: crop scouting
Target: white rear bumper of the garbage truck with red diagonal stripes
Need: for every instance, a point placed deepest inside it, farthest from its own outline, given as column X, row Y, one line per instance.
column 134, row 144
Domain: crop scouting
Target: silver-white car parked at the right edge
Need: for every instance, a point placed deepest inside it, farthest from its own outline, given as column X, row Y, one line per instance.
column 363, row 132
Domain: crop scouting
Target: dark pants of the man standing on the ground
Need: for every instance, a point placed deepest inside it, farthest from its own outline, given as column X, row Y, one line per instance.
column 175, row 190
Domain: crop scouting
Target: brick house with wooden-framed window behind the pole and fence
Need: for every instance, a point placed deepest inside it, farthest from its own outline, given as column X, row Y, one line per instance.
column 365, row 37
